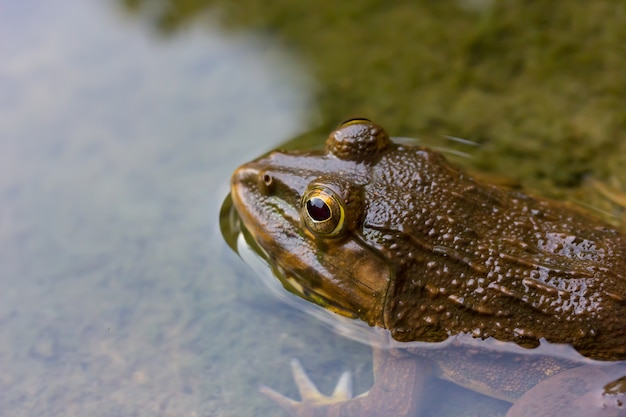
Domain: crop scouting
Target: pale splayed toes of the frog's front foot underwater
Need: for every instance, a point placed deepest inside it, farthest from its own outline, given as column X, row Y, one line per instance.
column 310, row 394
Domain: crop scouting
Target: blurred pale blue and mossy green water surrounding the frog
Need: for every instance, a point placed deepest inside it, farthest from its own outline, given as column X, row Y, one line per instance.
column 122, row 120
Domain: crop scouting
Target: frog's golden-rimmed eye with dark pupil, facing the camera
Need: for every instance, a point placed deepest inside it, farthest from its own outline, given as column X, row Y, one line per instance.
column 323, row 212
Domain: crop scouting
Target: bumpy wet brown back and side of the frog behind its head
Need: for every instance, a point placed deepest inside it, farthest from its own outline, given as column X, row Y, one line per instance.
column 476, row 258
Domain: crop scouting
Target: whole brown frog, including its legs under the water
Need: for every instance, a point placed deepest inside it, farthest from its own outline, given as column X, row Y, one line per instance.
column 394, row 236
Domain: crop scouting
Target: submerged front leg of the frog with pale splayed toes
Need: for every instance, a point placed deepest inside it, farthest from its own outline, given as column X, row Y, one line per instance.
column 397, row 390
